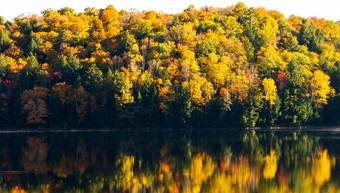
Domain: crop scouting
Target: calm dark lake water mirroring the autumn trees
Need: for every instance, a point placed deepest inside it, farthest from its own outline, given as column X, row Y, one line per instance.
column 171, row 161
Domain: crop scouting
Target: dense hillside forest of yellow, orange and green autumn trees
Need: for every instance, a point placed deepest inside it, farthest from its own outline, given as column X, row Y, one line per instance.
column 207, row 67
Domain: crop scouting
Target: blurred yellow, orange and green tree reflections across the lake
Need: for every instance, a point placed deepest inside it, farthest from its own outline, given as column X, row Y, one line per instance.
column 261, row 162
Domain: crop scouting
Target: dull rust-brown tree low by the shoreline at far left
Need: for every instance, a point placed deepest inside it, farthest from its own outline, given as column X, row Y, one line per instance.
column 34, row 105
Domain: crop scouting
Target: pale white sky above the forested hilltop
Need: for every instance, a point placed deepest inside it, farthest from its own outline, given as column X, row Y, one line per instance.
column 328, row 9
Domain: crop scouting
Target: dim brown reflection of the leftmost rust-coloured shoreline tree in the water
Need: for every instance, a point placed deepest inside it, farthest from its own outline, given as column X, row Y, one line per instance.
column 34, row 156
